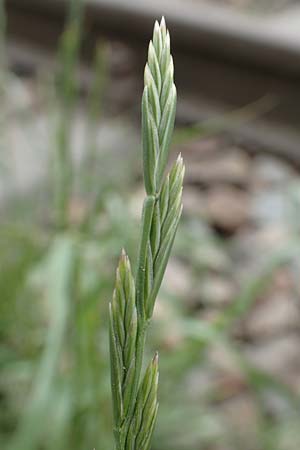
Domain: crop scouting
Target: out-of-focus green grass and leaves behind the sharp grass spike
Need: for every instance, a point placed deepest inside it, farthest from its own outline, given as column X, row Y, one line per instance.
column 56, row 278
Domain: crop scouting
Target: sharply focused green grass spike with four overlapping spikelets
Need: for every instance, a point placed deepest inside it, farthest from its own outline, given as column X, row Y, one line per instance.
column 135, row 402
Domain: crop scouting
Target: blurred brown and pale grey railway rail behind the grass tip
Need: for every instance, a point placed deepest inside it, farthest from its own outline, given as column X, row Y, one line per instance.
column 224, row 59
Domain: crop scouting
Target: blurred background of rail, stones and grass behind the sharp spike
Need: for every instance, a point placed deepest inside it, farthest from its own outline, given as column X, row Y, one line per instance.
column 227, row 321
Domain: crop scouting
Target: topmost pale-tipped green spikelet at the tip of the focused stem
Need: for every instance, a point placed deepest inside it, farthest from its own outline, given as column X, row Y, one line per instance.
column 158, row 108
